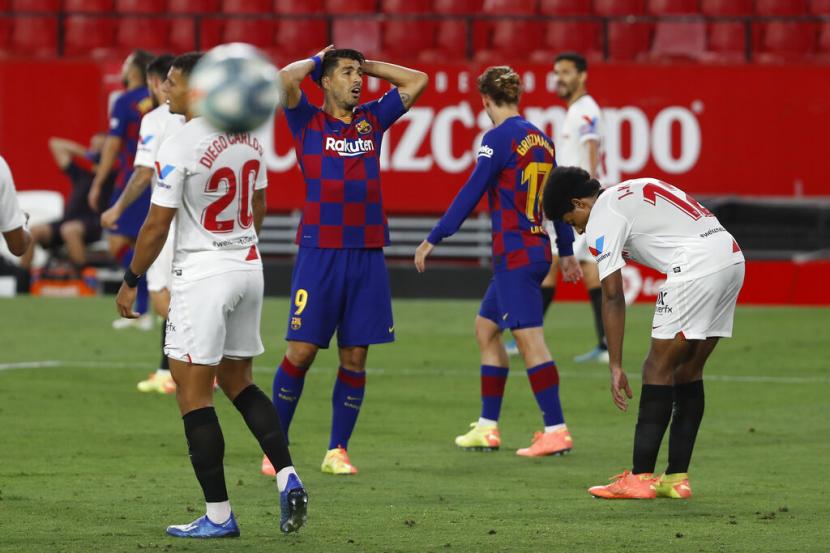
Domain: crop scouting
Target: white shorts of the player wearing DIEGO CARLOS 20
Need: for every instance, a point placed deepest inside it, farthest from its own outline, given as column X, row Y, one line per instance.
column 214, row 317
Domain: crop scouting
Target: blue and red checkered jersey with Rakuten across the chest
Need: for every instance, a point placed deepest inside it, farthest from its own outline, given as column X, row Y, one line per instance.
column 340, row 163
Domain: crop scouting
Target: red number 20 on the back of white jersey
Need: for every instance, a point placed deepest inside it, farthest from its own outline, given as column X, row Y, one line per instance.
column 244, row 216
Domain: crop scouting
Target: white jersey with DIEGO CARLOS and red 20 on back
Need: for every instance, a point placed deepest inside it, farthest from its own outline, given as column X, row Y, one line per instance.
column 210, row 177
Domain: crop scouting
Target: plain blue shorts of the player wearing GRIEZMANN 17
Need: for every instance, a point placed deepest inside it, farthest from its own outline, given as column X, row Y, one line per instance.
column 514, row 298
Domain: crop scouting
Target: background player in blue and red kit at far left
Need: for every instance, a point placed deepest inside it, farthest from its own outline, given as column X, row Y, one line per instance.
column 121, row 144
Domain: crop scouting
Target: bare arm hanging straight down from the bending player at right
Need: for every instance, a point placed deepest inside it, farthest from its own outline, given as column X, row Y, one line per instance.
column 613, row 317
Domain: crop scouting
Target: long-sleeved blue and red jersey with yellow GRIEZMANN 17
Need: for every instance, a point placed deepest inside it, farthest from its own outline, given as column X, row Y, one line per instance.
column 513, row 163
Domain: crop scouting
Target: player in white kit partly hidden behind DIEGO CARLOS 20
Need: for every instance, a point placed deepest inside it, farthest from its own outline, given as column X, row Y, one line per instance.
column 156, row 126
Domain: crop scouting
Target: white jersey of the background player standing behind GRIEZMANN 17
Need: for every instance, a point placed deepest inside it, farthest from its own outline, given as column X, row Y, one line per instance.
column 583, row 122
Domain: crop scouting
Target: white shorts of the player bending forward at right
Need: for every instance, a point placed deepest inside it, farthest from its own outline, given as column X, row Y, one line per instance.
column 700, row 308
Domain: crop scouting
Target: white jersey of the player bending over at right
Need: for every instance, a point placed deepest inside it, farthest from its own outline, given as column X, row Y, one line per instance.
column 660, row 226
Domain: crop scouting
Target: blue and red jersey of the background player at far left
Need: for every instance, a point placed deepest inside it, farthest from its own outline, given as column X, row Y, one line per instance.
column 125, row 121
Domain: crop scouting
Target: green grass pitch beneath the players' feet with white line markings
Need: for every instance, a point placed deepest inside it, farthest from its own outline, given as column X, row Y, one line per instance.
column 89, row 464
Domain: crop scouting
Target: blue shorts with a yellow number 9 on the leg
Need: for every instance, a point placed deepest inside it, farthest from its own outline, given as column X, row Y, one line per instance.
column 340, row 289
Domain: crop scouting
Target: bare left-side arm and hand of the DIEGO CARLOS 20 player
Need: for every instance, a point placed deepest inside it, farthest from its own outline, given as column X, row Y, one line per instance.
column 150, row 241
